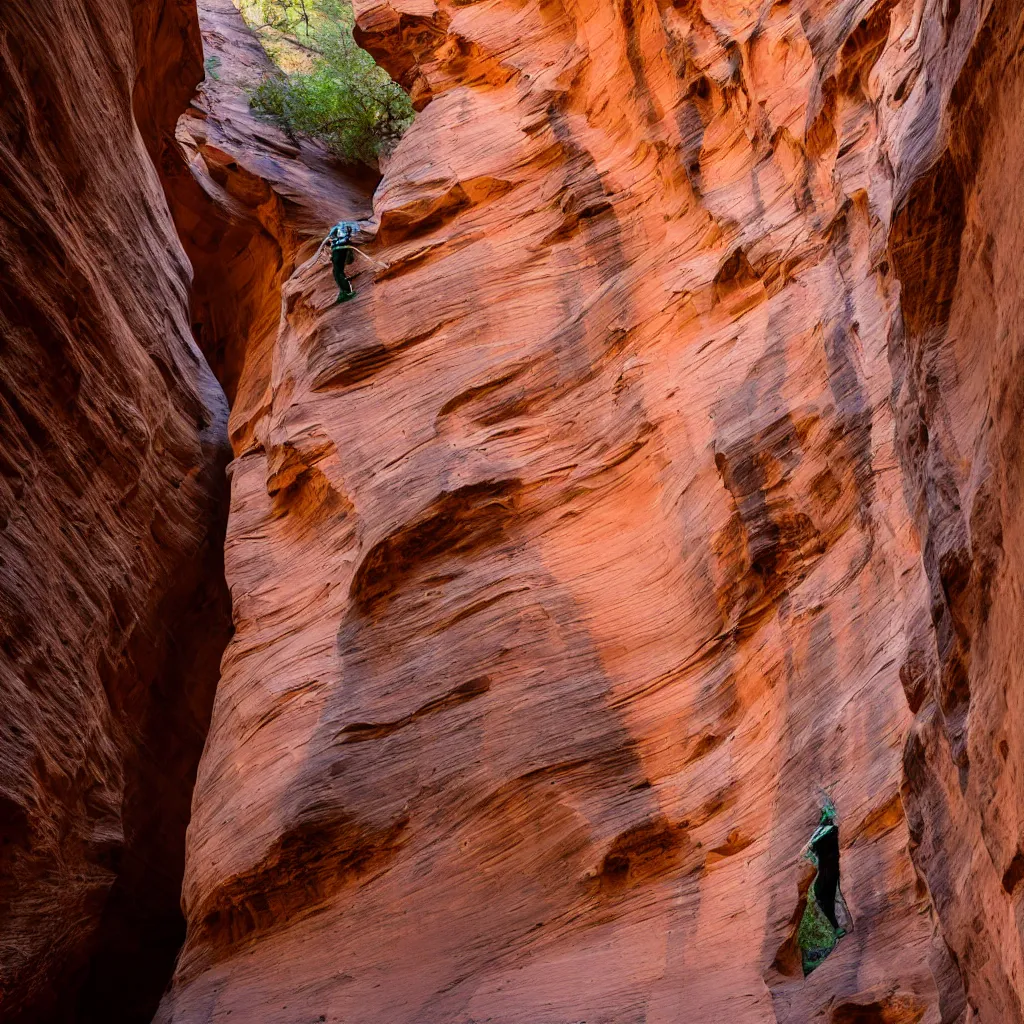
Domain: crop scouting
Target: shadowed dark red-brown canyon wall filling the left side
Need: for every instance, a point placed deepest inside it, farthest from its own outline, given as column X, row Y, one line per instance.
column 114, row 614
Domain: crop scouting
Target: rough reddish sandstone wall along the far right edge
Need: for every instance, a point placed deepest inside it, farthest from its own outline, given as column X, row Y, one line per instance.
column 958, row 364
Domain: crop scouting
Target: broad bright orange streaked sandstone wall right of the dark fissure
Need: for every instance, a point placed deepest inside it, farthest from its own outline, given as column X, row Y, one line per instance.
column 666, row 475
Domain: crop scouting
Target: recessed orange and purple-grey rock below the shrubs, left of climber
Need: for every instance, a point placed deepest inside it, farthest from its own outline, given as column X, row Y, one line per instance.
column 249, row 204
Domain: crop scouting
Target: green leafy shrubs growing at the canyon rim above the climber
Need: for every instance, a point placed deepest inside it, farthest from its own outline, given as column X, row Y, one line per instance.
column 328, row 88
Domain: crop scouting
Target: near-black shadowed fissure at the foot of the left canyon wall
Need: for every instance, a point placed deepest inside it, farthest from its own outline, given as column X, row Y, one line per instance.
column 143, row 926
